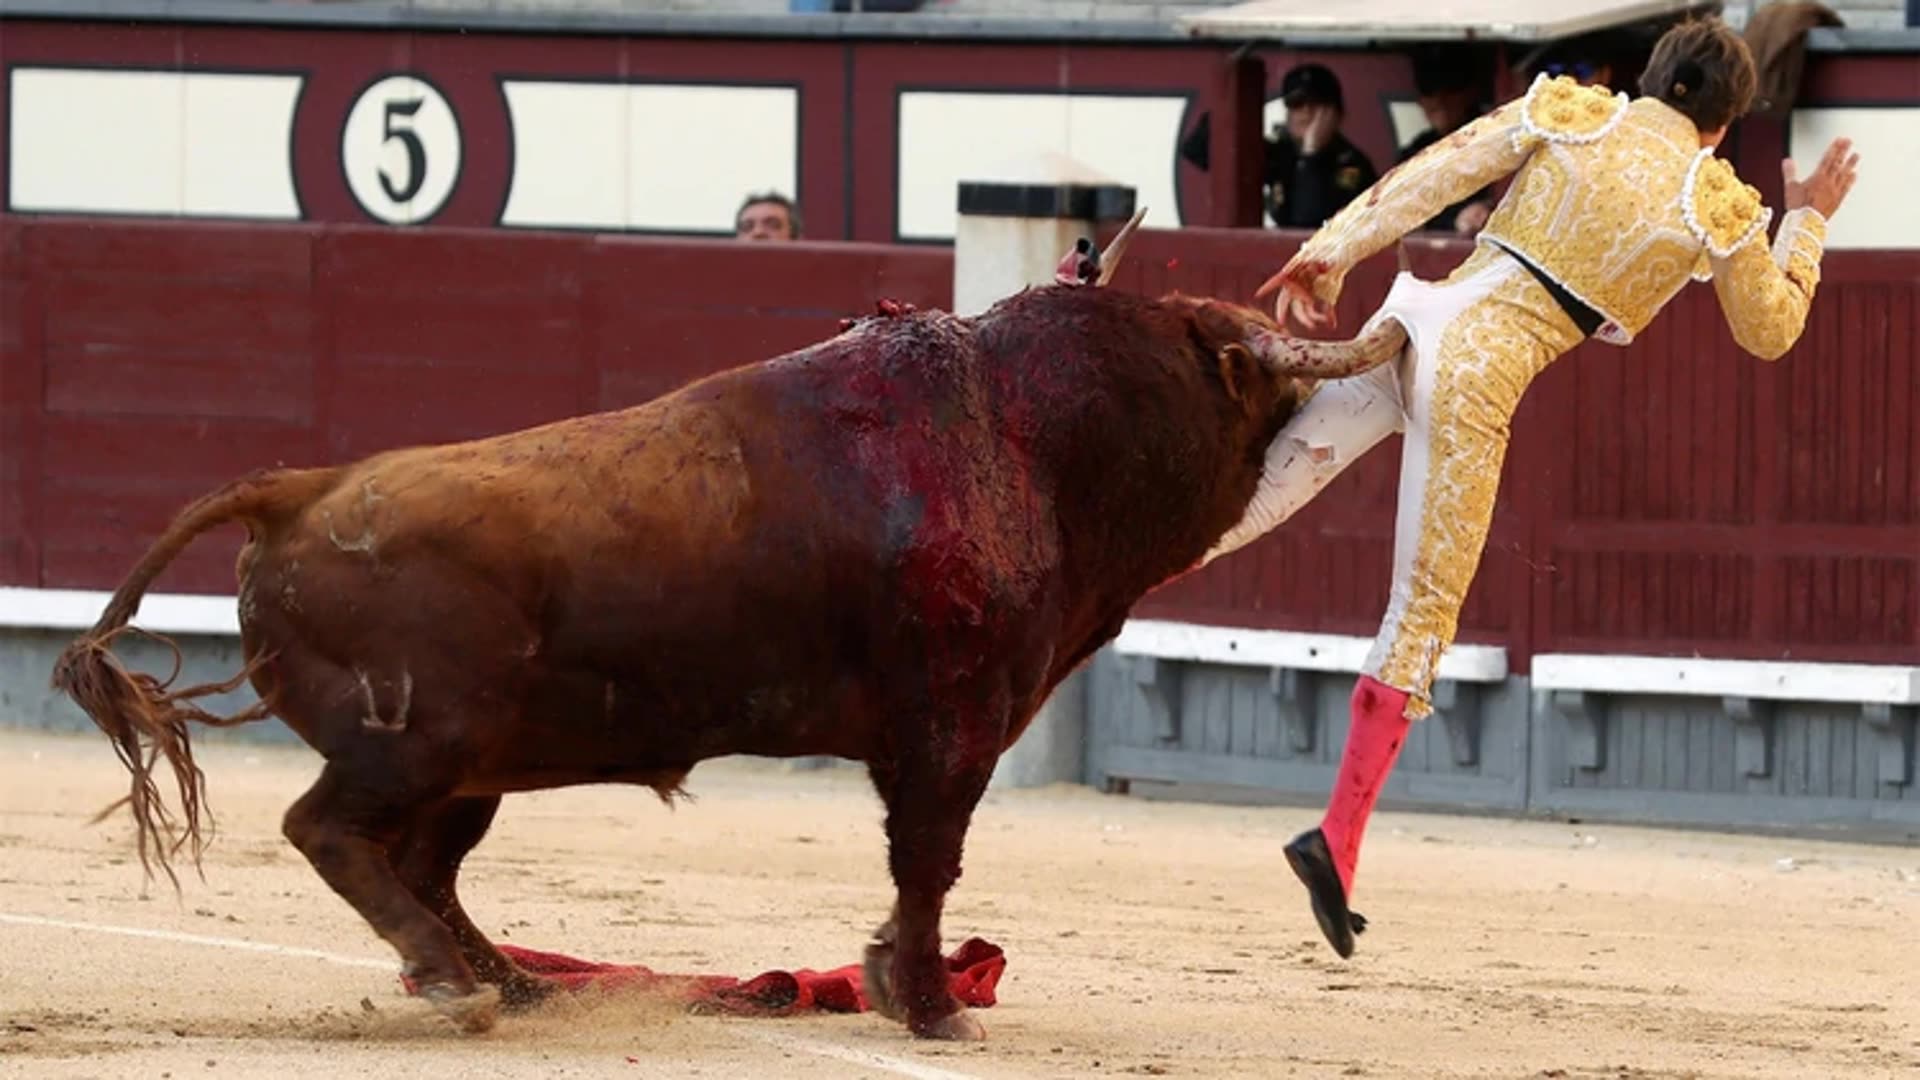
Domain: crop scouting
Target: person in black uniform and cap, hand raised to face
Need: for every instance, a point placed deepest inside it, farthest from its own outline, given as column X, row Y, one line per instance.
column 1312, row 170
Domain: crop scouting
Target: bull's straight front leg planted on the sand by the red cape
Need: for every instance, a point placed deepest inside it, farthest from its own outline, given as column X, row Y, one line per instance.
column 930, row 800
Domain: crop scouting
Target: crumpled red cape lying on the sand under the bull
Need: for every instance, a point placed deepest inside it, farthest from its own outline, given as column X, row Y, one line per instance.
column 972, row 973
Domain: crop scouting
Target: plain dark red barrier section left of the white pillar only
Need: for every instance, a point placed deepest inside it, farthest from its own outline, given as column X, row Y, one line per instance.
column 143, row 364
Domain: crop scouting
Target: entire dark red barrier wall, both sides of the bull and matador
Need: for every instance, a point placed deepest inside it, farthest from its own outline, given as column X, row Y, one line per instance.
column 1673, row 497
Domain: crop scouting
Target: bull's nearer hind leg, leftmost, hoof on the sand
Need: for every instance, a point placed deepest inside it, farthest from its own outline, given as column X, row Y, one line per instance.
column 345, row 829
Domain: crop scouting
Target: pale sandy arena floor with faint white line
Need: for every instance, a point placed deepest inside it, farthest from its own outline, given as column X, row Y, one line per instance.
column 1141, row 937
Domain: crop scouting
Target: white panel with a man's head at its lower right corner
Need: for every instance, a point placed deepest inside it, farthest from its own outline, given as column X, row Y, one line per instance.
column 646, row 157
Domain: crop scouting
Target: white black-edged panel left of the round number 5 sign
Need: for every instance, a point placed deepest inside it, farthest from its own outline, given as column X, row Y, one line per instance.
column 176, row 143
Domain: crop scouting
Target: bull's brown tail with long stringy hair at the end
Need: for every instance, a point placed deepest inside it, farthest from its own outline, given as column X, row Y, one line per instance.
column 137, row 712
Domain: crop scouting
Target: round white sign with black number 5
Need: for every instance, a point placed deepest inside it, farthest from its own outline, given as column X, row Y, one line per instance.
column 402, row 151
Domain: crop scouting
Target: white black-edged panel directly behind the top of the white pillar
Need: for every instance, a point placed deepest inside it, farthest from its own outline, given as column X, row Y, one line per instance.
column 949, row 137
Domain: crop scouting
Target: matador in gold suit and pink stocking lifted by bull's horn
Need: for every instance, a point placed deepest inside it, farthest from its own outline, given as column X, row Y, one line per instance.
column 1616, row 207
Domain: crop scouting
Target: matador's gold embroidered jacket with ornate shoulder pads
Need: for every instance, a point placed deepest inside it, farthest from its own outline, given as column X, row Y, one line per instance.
column 1614, row 199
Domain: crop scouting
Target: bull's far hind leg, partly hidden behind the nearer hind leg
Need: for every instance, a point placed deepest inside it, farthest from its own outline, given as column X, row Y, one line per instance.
column 429, row 864
